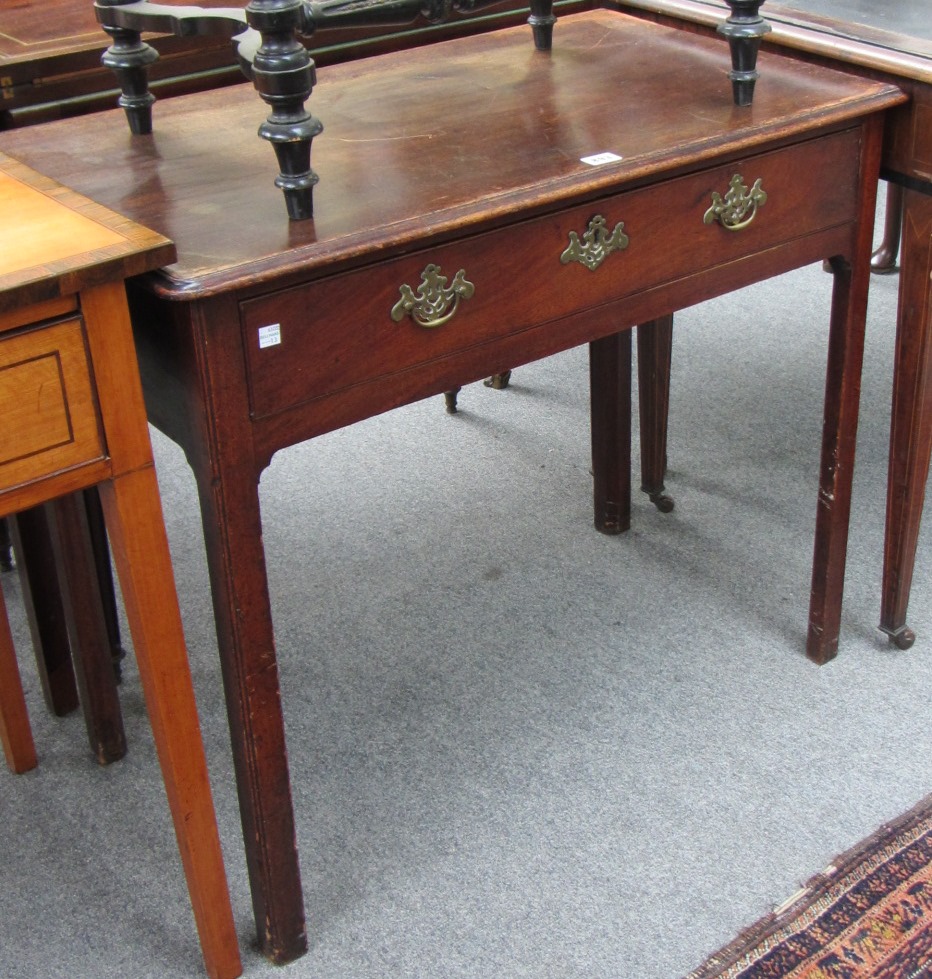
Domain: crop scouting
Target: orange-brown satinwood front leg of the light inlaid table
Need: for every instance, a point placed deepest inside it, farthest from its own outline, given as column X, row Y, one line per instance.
column 133, row 514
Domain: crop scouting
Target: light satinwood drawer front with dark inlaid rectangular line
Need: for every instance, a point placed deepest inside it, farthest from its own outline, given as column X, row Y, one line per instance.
column 48, row 415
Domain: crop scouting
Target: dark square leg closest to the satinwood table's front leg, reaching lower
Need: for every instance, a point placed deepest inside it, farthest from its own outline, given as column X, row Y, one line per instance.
column 77, row 577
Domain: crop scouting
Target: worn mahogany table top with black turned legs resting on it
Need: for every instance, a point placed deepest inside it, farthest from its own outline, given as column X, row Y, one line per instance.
column 505, row 128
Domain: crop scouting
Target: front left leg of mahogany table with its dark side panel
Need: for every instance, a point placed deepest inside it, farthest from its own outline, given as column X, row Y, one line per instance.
column 210, row 419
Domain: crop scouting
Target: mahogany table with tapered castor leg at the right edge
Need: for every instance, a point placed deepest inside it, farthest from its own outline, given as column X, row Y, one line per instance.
column 891, row 42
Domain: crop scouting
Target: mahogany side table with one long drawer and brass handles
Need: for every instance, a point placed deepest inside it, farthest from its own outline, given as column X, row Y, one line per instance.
column 493, row 184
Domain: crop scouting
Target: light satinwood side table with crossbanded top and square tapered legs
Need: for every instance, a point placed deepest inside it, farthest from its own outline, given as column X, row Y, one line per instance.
column 73, row 416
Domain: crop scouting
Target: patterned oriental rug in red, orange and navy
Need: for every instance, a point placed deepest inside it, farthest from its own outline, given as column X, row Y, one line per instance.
column 866, row 916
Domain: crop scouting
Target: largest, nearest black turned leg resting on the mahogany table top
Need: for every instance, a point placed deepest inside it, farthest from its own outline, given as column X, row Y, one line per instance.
column 283, row 73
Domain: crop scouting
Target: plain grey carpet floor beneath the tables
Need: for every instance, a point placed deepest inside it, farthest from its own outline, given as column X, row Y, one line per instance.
column 519, row 748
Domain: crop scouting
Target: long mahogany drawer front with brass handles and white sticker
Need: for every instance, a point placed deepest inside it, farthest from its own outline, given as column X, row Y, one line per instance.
column 318, row 339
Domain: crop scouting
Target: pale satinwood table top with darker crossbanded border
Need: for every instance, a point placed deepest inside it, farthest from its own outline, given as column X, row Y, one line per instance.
column 53, row 241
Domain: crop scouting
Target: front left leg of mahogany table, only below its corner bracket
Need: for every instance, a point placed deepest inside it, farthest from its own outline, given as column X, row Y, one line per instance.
column 236, row 560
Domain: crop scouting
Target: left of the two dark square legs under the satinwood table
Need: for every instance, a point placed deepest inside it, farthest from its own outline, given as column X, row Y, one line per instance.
column 45, row 610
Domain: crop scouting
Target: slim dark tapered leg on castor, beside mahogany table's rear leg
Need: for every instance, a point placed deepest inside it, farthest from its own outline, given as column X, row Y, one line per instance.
column 655, row 352
